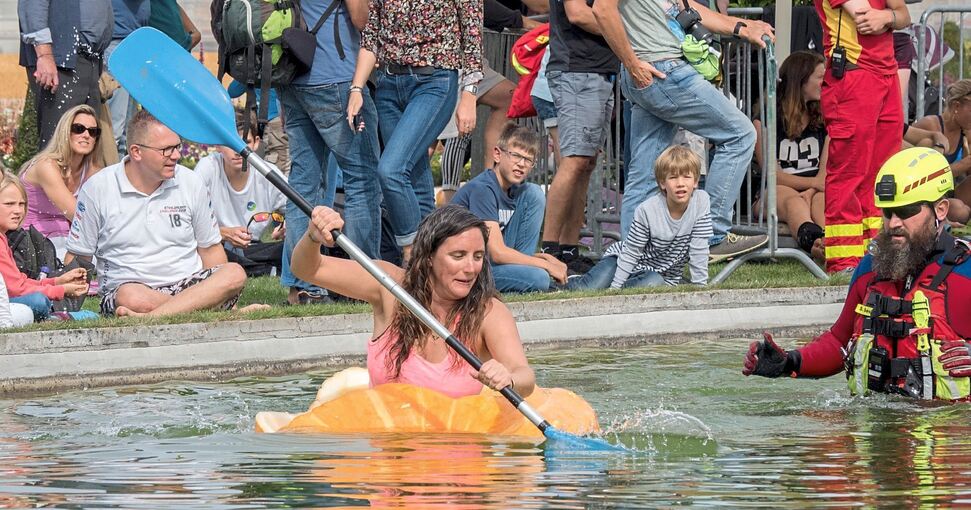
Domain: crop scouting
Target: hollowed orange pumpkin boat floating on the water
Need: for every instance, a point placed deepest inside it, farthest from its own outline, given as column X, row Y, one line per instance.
column 345, row 404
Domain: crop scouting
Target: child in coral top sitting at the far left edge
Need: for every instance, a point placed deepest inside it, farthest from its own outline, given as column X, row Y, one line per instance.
column 36, row 294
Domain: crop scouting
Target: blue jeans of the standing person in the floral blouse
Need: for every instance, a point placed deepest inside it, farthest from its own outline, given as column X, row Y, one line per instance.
column 421, row 105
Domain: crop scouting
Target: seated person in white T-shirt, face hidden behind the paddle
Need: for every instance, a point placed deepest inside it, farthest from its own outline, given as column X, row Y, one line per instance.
column 244, row 203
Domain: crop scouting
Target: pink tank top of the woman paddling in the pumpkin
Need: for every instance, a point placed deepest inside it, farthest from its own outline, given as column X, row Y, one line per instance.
column 444, row 376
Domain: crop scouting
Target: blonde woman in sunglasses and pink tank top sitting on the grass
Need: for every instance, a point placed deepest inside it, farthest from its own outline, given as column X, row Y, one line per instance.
column 53, row 177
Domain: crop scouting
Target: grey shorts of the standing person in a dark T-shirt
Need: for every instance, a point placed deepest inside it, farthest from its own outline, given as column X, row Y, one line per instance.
column 584, row 106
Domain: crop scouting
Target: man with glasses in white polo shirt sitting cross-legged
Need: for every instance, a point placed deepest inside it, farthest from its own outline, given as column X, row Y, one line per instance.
column 151, row 226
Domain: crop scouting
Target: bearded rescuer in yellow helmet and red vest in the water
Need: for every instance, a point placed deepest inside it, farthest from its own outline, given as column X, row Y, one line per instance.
column 905, row 323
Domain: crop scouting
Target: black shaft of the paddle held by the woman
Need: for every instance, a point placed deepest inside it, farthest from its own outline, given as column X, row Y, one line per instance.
column 389, row 283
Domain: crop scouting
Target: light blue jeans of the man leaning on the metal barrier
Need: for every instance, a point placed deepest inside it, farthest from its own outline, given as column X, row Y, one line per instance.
column 685, row 99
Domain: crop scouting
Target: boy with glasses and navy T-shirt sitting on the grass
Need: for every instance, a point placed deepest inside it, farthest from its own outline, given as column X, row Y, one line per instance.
column 513, row 210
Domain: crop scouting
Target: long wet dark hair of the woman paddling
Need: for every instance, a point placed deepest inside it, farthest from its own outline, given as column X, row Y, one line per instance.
column 446, row 222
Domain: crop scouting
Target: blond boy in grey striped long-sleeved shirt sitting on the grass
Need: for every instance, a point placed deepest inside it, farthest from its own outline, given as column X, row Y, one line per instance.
column 670, row 229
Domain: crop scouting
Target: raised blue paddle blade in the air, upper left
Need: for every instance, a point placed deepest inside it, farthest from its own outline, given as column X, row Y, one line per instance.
column 176, row 88
